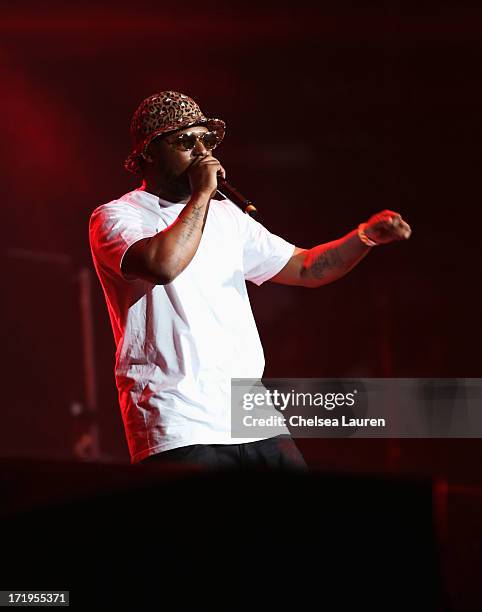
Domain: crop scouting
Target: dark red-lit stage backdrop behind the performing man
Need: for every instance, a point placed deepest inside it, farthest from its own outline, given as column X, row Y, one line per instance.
column 334, row 110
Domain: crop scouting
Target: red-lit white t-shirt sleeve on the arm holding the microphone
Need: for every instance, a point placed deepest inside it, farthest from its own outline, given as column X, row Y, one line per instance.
column 113, row 228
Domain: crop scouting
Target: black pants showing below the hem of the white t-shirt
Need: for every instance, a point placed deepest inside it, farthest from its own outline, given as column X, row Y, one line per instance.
column 277, row 453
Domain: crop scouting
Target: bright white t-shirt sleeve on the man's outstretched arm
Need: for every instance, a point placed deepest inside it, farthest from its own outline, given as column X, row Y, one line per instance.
column 264, row 254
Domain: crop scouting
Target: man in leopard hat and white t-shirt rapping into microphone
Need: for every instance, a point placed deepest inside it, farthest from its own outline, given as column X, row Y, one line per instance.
column 173, row 263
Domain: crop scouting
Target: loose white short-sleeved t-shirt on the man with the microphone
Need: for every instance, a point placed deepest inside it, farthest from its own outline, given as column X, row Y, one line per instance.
column 179, row 345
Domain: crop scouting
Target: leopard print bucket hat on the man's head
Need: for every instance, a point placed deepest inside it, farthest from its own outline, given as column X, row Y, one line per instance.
column 164, row 112
